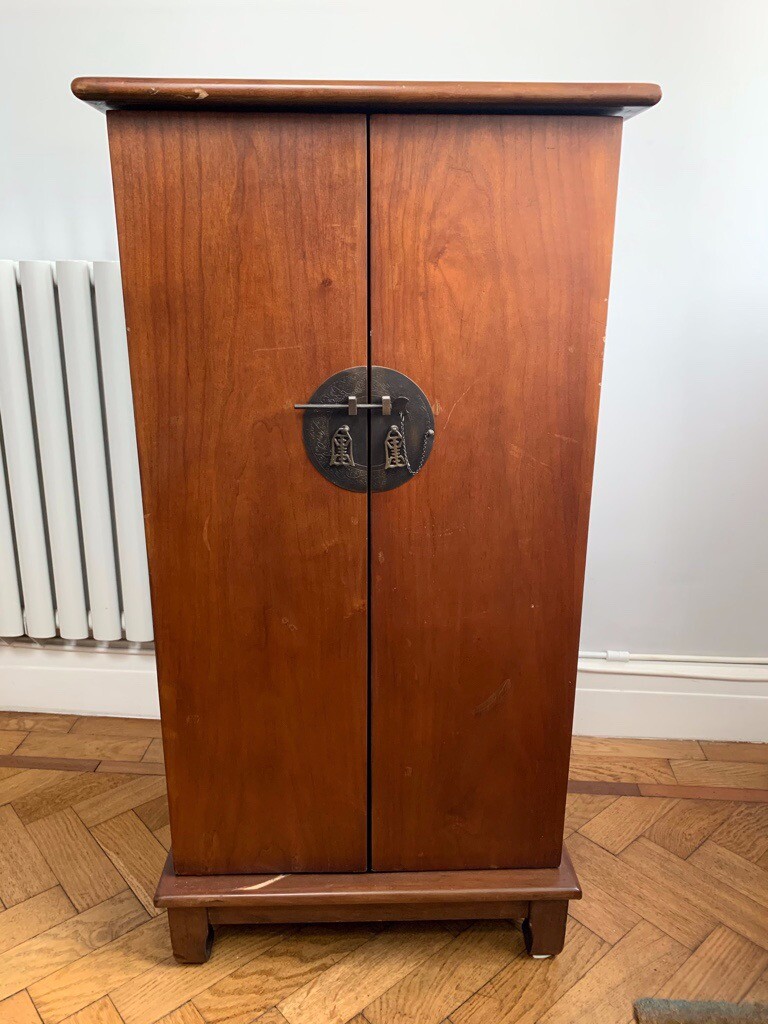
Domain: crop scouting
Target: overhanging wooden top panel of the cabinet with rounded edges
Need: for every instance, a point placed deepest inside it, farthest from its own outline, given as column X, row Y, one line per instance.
column 250, row 95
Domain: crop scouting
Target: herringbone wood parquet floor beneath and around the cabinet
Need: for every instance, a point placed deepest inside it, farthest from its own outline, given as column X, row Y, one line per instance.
column 670, row 840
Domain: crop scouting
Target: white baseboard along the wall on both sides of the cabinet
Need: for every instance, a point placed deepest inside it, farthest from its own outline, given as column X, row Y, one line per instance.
column 686, row 700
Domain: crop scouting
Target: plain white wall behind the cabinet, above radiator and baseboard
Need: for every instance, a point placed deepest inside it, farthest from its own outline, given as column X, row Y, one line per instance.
column 678, row 558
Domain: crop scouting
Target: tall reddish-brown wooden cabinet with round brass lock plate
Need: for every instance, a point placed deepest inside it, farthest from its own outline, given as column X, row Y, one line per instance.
column 367, row 672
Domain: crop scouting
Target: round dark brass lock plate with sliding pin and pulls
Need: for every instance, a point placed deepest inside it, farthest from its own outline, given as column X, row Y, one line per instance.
column 397, row 440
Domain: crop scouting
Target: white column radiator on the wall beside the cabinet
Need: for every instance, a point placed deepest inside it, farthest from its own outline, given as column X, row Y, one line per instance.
column 73, row 561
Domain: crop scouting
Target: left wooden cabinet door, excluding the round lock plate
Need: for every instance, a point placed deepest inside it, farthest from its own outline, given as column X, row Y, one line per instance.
column 243, row 243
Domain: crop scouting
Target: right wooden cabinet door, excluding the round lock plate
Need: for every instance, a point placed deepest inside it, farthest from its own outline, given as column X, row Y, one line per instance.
column 491, row 241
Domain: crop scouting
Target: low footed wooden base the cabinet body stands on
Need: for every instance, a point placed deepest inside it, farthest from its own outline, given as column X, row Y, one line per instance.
column 538, row 898
